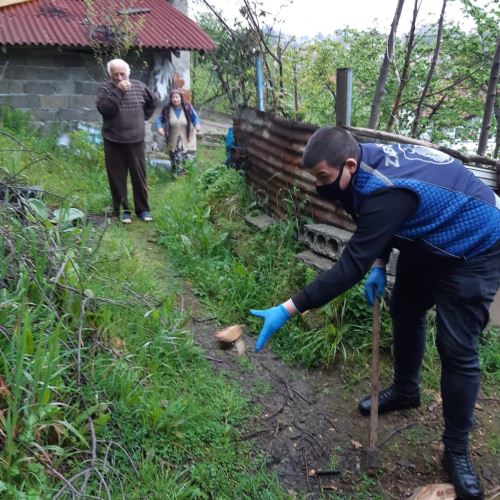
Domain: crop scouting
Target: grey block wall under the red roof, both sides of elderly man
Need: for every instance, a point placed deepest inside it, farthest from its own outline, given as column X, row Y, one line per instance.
column 58, row 86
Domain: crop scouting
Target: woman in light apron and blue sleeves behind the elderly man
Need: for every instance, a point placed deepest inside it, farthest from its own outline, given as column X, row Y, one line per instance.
column 178, row 123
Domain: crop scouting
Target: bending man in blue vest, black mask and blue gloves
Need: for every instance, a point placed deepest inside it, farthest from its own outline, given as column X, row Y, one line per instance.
column 446, row 224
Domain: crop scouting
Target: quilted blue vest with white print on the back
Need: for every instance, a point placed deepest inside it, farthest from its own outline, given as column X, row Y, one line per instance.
column 457, row 215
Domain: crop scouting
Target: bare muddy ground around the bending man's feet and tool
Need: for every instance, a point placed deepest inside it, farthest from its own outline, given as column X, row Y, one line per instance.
column 307, row 423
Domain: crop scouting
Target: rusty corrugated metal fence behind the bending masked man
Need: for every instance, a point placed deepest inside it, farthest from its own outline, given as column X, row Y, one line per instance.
column 274, row 148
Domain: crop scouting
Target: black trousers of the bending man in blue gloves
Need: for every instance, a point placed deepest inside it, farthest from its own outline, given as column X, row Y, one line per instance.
column 462, row 293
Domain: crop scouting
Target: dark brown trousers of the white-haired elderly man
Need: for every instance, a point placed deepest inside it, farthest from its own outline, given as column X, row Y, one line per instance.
column 122, row 158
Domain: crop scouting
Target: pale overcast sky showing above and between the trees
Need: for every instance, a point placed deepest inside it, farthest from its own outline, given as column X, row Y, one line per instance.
column 309, row 17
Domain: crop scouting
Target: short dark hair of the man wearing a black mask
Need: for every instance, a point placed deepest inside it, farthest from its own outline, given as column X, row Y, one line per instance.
column 332, row 144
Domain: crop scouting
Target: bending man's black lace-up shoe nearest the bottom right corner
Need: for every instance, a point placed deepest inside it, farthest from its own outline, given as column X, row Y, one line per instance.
column 459, row 468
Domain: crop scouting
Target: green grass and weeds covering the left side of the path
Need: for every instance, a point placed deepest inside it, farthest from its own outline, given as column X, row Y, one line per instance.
column 163, row 421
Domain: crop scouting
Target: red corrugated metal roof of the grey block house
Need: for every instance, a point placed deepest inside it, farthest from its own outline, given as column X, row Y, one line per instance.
column 62, row 23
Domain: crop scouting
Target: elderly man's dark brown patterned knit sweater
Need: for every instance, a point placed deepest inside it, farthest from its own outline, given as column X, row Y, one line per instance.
column 124, row 113
